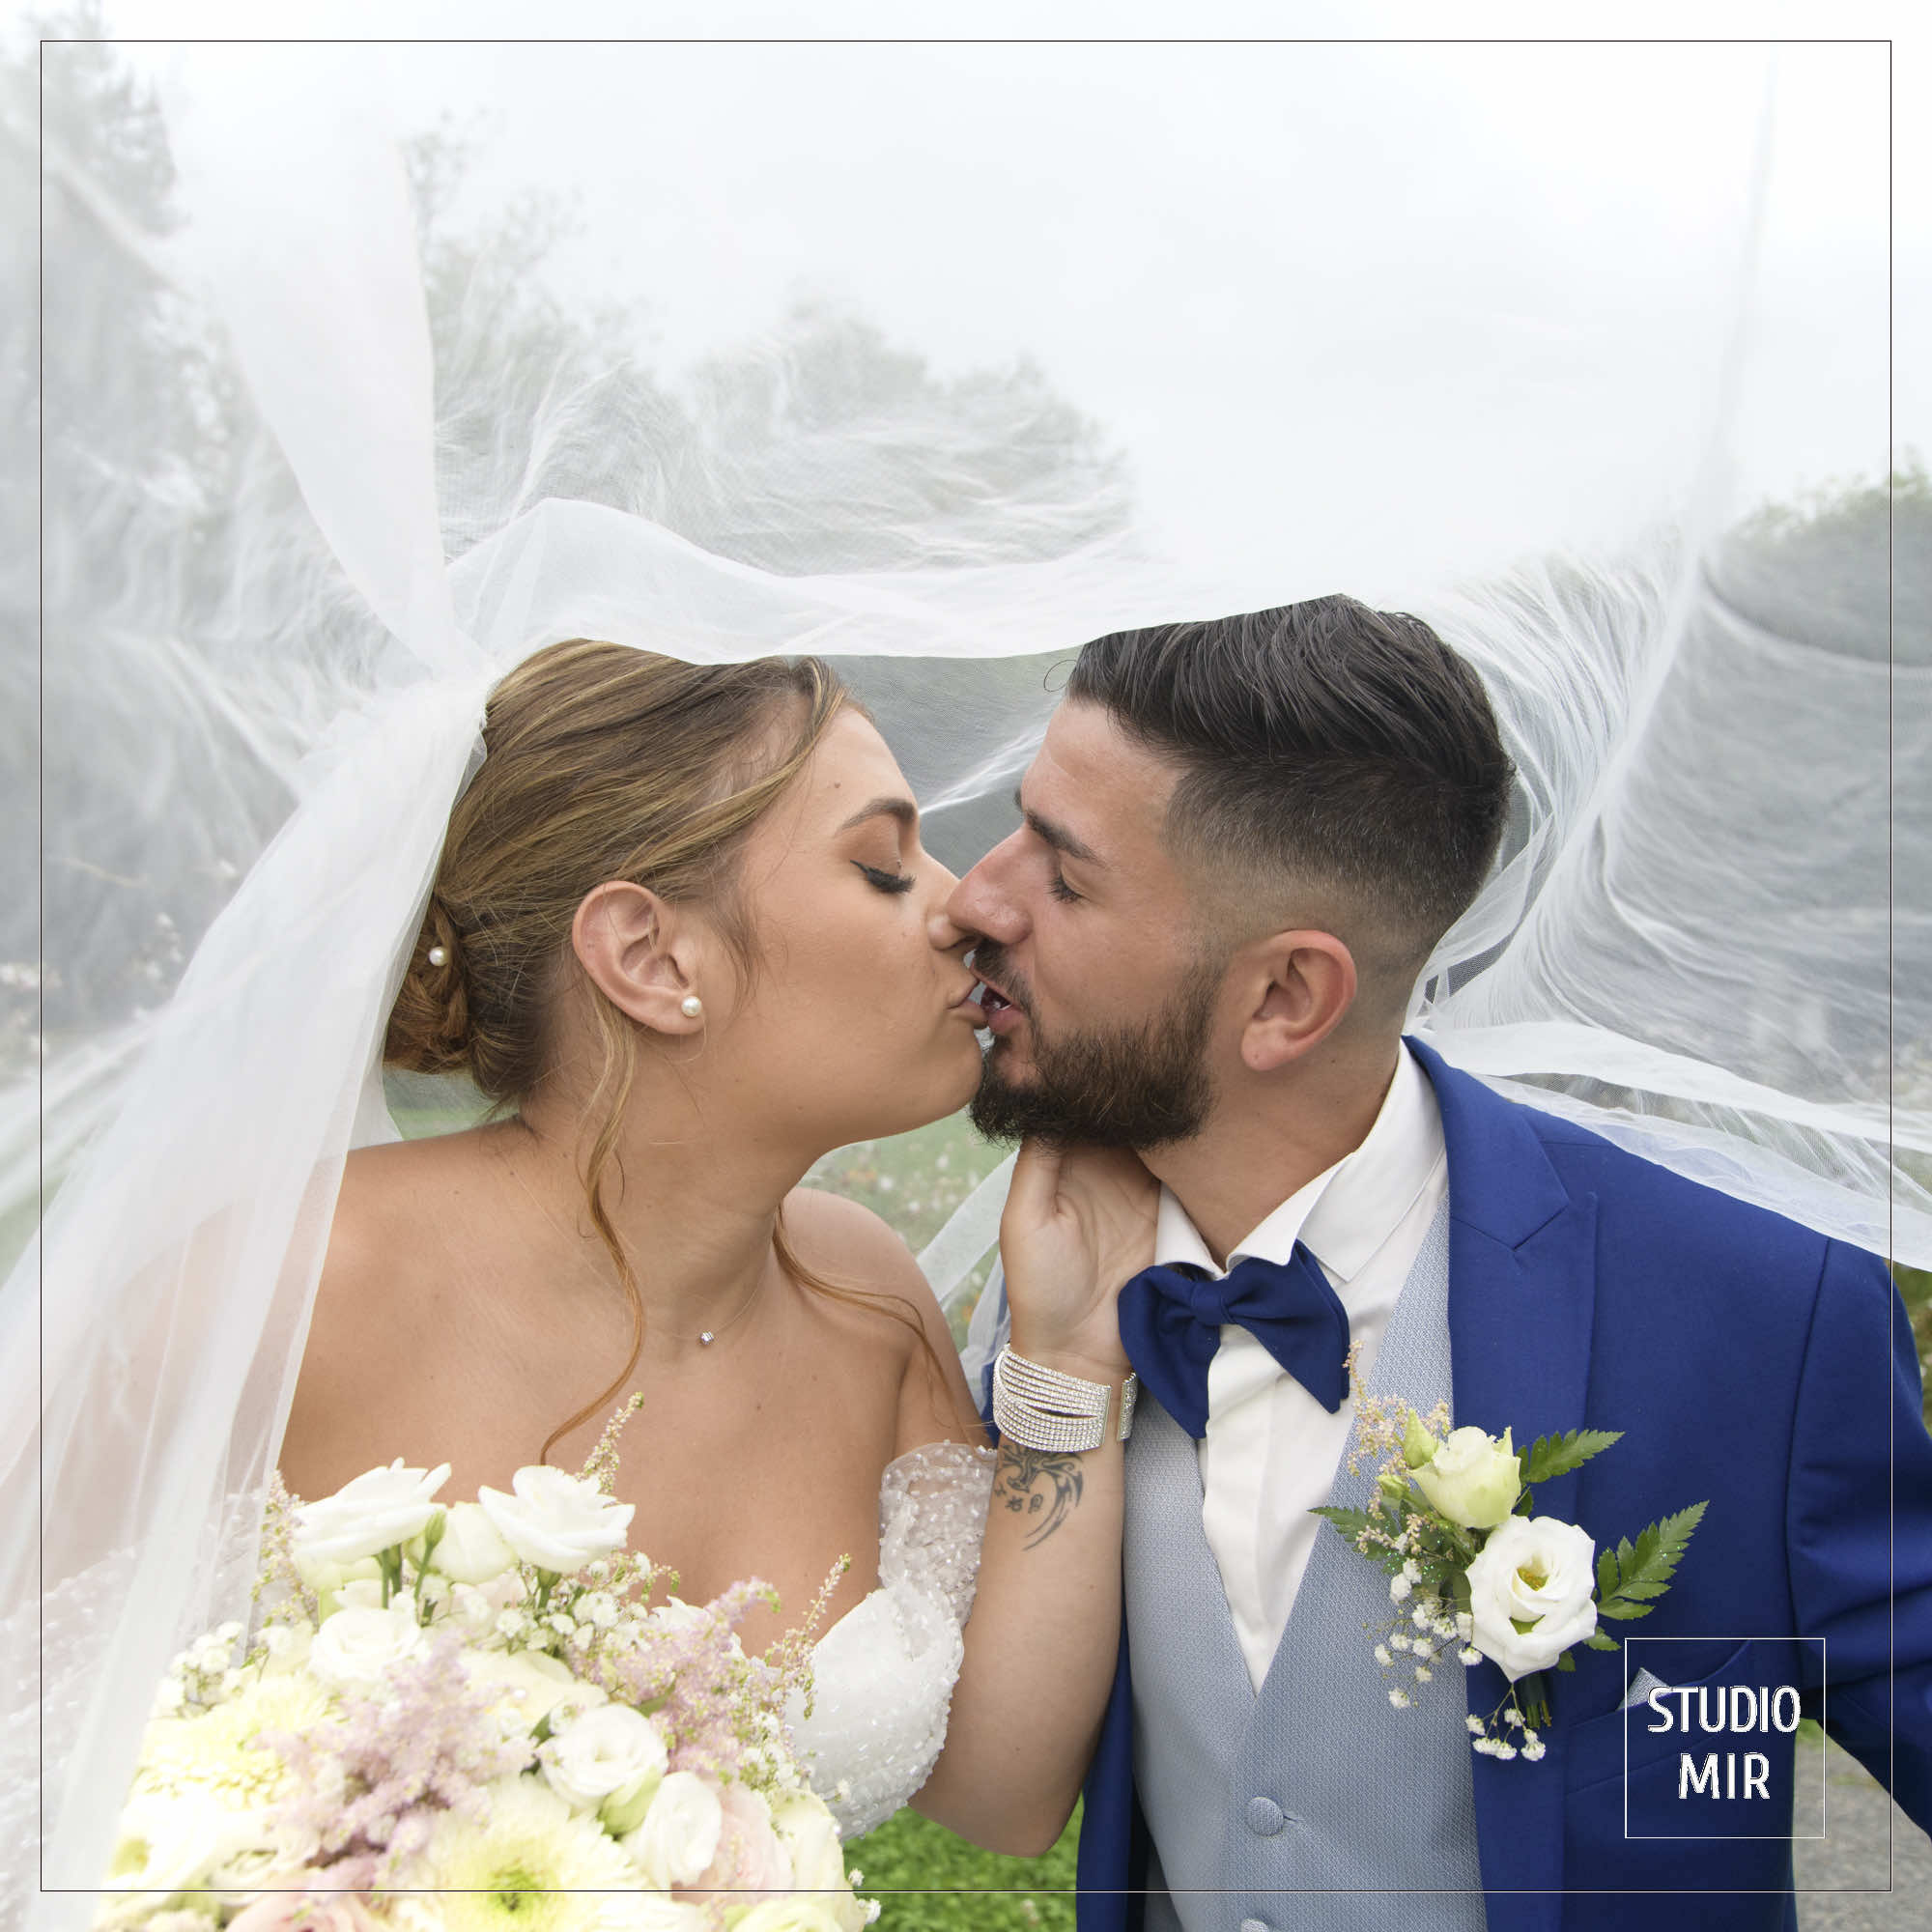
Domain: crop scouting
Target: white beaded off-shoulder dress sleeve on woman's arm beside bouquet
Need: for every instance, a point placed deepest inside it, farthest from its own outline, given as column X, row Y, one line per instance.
column 884, row 1674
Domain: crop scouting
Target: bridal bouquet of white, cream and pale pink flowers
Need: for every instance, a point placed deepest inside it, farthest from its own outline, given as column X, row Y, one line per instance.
column 472, row 1719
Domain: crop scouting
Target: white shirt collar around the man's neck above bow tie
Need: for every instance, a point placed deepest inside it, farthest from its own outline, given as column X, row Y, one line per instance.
column 1348, row 1210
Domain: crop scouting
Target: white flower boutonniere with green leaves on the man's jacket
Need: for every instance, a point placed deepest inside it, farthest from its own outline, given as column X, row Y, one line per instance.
column 1477, row 1574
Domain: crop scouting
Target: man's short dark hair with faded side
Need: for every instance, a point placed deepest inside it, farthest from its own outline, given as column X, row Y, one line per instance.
column 1321, row 743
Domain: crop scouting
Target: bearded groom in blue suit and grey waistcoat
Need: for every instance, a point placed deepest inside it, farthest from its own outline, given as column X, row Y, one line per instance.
column 1241, row 843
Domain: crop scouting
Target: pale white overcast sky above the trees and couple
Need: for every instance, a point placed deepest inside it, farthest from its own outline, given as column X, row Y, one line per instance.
column 1338, row 302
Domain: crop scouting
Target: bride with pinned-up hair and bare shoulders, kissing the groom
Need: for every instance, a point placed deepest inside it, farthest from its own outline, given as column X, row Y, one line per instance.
column 685, row 936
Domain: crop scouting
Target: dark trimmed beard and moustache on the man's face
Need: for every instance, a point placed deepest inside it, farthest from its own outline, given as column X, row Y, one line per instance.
column 1122, row 1087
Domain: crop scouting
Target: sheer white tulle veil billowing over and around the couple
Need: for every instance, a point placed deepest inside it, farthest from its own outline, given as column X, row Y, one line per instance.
column 318, row 474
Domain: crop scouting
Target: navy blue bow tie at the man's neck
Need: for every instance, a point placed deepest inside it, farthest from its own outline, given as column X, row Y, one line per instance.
column 1172, row 1324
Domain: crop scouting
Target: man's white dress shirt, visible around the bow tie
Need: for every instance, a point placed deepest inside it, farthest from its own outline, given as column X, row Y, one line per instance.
column 1270, row 1450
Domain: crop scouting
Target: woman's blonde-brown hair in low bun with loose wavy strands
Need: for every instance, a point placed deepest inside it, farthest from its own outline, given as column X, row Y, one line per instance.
column 600, row 764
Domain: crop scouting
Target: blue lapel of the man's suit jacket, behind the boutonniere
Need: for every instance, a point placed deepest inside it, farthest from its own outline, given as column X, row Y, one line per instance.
column 1521, row 1305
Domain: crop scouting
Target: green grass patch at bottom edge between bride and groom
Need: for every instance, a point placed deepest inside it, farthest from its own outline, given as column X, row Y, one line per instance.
column 928, row 1881
